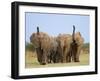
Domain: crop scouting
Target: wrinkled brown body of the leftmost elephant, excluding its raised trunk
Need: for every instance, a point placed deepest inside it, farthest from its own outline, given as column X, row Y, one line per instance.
column 41, row 41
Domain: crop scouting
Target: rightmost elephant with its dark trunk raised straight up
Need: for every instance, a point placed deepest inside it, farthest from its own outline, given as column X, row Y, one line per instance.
column 76, row 46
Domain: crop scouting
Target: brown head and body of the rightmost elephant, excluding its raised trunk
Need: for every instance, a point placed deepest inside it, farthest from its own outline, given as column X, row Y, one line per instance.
column 77, row 47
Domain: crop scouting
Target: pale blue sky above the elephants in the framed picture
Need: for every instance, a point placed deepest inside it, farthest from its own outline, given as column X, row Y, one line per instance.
column 54, row 24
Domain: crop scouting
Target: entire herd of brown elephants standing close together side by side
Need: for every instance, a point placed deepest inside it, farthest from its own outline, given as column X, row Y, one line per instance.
column 61, row 49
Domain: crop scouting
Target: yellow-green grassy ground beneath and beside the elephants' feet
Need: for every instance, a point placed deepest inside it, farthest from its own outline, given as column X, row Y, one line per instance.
column 31, row 61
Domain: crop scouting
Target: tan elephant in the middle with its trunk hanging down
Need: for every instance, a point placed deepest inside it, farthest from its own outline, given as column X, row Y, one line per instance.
column 64, row 43
